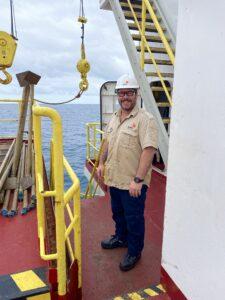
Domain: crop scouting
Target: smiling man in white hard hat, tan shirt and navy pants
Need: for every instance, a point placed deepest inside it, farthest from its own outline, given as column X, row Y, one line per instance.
column 125, row 163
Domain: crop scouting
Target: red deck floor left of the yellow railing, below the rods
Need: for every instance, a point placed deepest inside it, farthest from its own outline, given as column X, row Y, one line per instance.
column 19, row 250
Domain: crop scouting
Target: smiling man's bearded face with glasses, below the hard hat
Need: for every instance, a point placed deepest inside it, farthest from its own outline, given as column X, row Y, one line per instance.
column 127, row 99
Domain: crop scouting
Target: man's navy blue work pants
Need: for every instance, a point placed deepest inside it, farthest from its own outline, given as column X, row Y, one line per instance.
column 128, row 214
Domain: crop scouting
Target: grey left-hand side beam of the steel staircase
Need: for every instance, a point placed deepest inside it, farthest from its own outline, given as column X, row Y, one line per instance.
column 145, row 90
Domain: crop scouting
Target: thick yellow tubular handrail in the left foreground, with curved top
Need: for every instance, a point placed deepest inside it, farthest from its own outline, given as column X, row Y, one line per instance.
column 58, row 162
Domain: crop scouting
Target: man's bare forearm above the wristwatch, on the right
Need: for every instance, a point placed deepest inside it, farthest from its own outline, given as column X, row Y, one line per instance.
column 145, row 162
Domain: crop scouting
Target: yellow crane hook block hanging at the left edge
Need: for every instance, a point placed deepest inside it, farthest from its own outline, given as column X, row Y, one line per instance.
column 7, row 53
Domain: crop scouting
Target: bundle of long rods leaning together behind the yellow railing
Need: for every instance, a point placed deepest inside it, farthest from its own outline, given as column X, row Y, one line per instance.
column 17, row 168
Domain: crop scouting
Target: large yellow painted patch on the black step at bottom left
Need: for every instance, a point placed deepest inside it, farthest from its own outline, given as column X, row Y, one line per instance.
column 27, row 281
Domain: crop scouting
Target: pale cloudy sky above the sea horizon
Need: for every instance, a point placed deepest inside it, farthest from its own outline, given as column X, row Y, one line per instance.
column 49, row 45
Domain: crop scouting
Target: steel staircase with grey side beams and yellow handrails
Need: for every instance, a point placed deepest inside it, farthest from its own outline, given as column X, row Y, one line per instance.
column 148, row 68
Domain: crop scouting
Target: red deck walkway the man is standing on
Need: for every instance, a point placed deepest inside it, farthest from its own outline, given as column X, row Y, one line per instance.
column 102, row 278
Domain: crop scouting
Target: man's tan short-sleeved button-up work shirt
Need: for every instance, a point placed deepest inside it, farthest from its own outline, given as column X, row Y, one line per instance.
column 126, row 141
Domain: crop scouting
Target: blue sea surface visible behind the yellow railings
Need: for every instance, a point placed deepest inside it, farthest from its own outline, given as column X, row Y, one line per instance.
column 74, row 118
